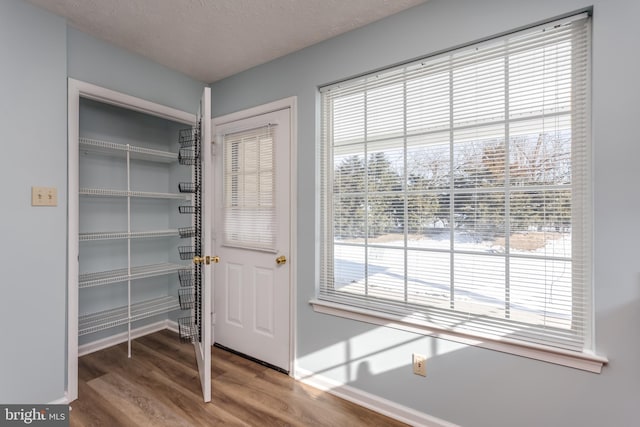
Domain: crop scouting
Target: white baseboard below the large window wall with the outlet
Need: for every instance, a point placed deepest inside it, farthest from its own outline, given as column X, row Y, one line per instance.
column 370, row 401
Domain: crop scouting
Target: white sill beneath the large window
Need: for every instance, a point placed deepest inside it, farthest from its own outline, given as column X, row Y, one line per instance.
column 583, row 361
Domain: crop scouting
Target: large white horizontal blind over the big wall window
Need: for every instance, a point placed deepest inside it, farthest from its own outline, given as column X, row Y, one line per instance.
column 456, row 189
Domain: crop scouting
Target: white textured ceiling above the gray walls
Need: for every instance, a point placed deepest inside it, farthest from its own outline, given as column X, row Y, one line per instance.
column 212, row 39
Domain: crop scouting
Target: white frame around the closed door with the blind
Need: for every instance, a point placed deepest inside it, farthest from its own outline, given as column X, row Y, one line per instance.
column 291, row 104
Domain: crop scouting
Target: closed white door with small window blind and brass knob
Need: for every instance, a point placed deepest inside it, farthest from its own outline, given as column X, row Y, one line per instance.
column 252, row 223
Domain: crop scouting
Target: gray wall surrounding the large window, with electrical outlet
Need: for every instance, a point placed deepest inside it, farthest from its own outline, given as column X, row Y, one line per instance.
column 469, row 385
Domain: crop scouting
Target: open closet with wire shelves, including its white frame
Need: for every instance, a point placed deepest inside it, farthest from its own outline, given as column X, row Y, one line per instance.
column 135, row 225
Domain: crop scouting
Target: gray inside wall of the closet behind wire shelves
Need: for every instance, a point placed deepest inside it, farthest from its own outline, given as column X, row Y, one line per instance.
column 135, row 236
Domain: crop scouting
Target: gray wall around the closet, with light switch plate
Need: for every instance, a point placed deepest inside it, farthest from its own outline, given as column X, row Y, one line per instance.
column 38, row 53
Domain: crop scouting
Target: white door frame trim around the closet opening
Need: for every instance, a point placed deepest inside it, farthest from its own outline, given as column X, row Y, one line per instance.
column 78, row 89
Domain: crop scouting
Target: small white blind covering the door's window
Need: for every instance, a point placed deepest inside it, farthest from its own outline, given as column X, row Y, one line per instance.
column 249, row 189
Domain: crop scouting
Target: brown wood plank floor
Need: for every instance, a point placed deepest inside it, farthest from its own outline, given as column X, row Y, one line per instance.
column 159, row 386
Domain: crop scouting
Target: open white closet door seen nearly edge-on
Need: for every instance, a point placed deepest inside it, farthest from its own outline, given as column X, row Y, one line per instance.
column 203, row 300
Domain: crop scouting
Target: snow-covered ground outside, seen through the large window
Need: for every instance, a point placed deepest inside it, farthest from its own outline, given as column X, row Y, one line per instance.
column 486, row 279
